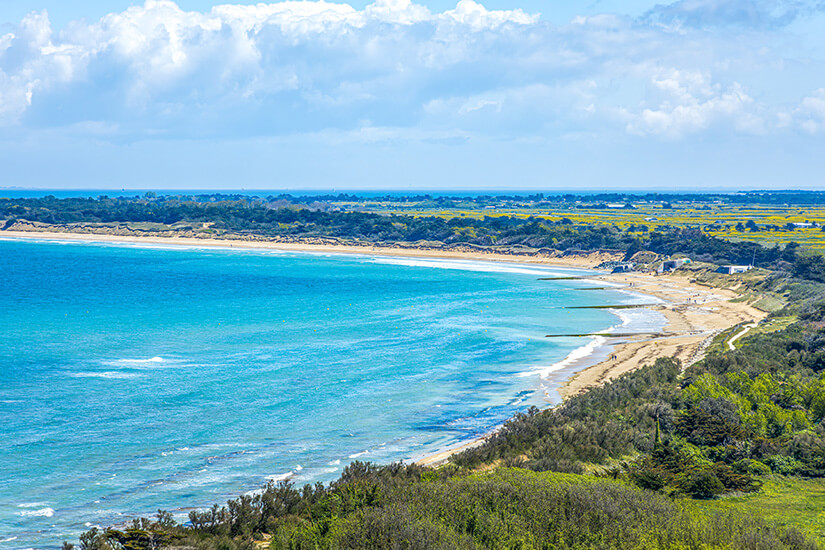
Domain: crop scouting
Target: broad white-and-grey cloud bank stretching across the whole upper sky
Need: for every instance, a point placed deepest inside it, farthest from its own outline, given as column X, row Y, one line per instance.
column 323, row 68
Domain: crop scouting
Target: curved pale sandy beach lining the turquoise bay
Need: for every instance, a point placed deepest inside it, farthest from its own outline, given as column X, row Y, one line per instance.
column 694, row 313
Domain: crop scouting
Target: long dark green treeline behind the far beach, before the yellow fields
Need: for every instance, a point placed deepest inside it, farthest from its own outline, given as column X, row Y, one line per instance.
column 247, row 216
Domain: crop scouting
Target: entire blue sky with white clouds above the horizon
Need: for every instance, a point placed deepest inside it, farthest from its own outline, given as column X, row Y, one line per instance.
column 590, row 95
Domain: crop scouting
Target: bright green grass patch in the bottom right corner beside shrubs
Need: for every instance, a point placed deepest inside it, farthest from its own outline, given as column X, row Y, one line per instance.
column 794, row 502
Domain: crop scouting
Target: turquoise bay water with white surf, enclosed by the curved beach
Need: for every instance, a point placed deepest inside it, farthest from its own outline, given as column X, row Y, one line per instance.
column 137, row 378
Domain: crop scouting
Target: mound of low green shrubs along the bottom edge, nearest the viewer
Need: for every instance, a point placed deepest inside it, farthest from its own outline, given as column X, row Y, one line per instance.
column 403, row 508
